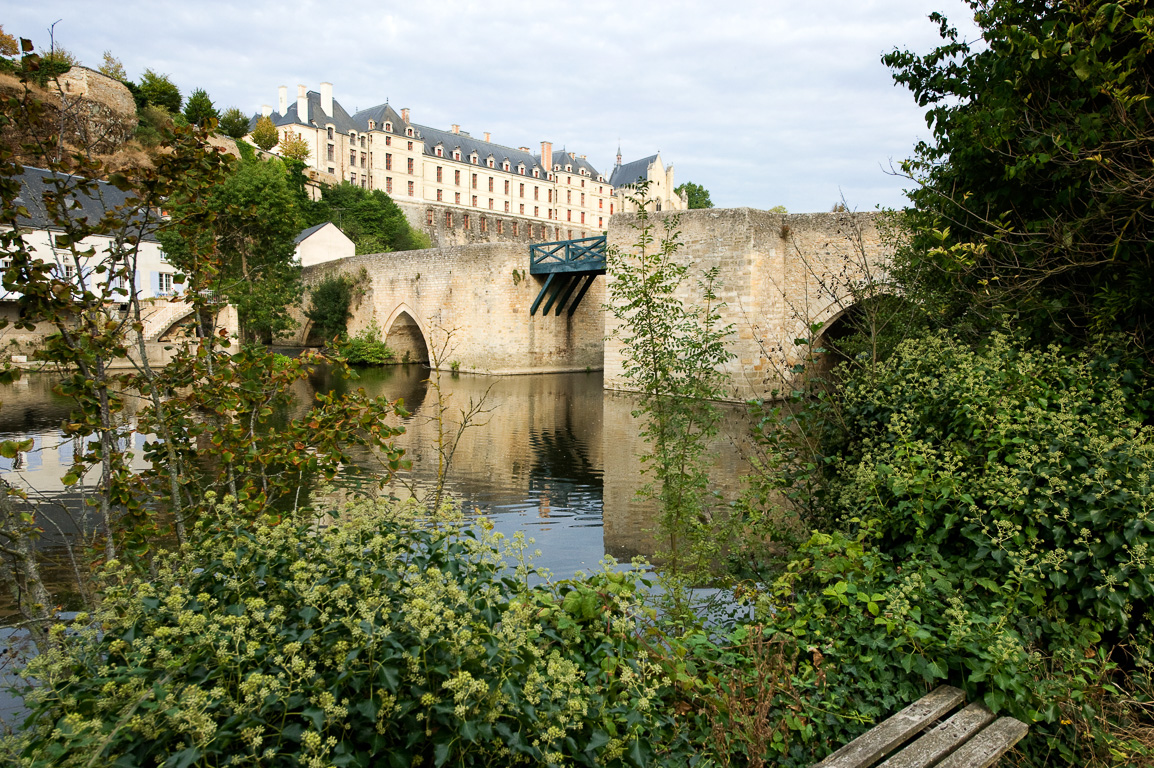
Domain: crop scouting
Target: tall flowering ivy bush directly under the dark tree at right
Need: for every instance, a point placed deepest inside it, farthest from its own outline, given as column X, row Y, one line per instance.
column 1017, row 465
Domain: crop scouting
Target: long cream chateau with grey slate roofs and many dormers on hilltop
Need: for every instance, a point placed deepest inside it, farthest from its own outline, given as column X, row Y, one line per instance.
column 455, row 187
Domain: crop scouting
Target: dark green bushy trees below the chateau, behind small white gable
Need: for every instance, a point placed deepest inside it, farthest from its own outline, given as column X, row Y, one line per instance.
column 370, row 219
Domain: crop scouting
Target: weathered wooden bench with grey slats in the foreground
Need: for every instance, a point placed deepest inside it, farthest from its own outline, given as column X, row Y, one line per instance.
column 971, row 739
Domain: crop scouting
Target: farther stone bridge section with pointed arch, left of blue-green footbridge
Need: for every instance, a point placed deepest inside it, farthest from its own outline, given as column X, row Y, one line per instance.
column 468, row 307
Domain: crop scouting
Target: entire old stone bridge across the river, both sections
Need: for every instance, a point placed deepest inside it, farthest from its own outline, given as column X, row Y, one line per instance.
column 469, row 307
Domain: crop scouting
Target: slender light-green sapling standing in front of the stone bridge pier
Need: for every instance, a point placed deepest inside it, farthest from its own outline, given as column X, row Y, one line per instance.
column 673, row 355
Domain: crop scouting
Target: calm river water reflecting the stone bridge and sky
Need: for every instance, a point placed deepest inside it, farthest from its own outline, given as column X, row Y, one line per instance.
column 553, row 453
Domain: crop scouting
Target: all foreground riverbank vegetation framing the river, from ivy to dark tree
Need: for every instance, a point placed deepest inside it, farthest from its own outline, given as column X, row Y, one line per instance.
column 971, row 505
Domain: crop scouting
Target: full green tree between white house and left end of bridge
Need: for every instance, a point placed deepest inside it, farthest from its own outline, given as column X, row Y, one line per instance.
column 257, row 221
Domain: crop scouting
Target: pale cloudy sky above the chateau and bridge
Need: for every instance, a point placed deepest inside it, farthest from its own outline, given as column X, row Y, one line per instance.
column 763, row 103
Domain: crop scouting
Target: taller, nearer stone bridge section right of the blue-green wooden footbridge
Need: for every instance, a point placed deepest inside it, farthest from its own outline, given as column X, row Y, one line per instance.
column 780, row 276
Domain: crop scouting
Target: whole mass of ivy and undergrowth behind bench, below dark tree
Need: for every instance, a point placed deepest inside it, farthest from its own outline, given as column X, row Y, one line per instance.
column 988, row 516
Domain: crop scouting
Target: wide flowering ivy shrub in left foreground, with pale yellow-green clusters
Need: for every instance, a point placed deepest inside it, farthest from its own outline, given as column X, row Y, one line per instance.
column 377, row 641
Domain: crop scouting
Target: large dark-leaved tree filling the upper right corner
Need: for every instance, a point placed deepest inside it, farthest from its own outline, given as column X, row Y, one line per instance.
column 1033, row 198
